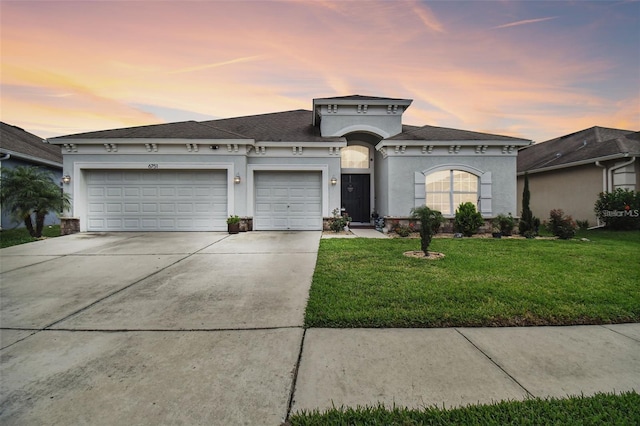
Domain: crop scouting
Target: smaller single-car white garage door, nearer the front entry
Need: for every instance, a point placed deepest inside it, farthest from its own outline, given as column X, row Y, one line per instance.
column 288, row 200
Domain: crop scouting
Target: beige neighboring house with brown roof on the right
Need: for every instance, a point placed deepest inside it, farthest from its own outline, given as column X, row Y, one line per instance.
column 569, row 172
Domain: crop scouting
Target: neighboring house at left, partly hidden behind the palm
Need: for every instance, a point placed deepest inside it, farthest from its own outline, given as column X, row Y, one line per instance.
column 21, row 148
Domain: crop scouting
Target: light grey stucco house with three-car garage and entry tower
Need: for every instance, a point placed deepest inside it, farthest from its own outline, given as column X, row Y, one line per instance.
column 284, row 170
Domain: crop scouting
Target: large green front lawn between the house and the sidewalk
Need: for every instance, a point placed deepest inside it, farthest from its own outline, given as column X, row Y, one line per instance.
column 480, row 282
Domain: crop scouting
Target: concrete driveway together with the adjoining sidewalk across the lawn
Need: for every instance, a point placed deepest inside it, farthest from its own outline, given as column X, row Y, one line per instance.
column 207, row 328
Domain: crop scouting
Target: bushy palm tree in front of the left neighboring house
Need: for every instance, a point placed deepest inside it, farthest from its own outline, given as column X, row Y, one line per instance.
column 29, row 191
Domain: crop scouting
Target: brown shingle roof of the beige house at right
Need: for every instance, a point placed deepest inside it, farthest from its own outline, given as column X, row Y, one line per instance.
column 592, row 143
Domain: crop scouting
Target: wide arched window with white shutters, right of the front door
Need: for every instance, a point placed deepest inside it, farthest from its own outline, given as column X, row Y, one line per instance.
column 447, row 189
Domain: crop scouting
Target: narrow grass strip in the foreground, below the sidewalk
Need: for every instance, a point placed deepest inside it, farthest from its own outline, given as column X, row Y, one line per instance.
column 622, row 409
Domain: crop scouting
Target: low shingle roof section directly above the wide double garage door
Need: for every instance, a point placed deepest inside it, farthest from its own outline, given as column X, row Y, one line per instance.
column 180, row 130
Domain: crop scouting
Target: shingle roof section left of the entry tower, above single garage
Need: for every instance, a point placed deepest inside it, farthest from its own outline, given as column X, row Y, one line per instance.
column 291, row 126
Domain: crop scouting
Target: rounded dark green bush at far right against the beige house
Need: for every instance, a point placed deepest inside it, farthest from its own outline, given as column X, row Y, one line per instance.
column 619, row 210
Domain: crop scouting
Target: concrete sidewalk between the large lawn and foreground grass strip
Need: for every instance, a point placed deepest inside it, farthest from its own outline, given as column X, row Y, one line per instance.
column 460, row 366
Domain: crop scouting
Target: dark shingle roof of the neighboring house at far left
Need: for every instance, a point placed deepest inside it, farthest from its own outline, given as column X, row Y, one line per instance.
column 19, row 141
